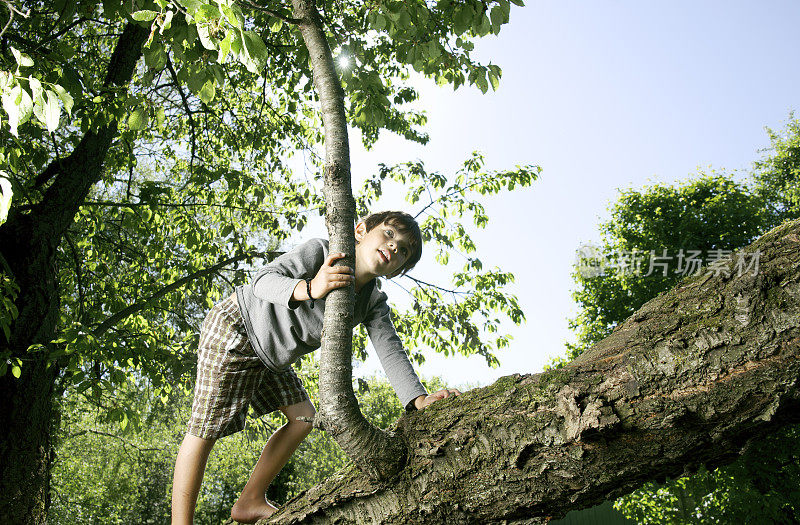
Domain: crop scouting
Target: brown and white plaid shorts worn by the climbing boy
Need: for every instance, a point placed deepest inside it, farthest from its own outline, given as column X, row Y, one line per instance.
column 231, row 377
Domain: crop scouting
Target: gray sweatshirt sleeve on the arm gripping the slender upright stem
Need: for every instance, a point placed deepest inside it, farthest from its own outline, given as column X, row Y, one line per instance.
column 276, row 281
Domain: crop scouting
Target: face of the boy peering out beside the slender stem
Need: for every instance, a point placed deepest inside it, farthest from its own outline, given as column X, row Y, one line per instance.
column 382, row 251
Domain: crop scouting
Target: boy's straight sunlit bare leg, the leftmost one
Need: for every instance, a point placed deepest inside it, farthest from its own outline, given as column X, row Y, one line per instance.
column 189, row 468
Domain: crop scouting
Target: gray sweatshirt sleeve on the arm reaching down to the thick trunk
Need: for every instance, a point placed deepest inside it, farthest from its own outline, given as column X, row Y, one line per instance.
column 390, row 351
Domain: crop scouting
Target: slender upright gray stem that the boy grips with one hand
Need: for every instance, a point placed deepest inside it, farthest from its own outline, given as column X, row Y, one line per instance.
column 375, row 452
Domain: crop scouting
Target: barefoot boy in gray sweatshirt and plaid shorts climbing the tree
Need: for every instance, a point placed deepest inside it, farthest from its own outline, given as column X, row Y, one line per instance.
column 249, row 341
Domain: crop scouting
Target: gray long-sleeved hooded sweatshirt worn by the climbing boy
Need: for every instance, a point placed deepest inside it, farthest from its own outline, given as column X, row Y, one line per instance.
column 281, row 329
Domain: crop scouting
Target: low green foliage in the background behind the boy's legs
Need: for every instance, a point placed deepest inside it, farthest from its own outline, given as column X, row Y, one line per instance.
column 103, row 473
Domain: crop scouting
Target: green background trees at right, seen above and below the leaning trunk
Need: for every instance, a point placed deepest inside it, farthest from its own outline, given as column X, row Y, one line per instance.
column 705, row 214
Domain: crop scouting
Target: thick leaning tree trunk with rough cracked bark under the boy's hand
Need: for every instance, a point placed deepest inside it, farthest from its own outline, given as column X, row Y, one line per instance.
column 694, row 377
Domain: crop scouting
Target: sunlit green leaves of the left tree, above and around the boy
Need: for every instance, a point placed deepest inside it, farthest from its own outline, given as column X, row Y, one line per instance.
column 199, row 185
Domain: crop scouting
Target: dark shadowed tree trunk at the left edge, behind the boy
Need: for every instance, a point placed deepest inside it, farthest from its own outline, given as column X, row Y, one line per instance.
column 28, row 243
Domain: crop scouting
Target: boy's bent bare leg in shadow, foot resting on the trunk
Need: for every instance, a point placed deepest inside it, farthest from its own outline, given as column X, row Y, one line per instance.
column 252, row 504
